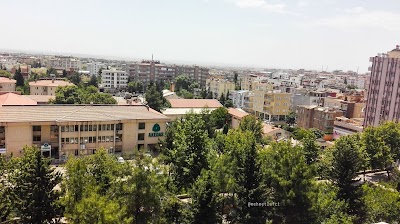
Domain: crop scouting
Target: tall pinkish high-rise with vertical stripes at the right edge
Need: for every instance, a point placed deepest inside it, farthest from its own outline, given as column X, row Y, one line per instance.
column 383, row 94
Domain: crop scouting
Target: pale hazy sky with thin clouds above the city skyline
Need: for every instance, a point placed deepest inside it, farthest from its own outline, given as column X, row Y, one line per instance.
column 310, row 34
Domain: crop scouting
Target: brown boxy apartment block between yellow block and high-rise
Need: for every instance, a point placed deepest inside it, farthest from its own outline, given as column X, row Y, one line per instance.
column 318, row 117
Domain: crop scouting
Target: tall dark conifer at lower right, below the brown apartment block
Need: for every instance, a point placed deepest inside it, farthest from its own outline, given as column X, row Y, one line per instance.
column 346, row 161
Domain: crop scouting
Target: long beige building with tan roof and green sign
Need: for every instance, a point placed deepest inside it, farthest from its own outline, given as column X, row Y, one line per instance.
column 63, row 131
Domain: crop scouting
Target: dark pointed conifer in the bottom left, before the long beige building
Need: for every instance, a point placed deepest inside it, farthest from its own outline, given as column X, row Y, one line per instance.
column 34, row 183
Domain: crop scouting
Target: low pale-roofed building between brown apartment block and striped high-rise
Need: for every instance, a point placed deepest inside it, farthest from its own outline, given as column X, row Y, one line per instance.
column 345, row 126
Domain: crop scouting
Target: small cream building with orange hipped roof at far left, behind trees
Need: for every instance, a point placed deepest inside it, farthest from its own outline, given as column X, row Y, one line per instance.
column 47, row 87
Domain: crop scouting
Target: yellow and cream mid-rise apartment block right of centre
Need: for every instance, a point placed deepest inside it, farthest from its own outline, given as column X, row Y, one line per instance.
column 271, row 105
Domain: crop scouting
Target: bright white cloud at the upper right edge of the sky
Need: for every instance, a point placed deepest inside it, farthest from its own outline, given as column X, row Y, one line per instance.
column 359, row 17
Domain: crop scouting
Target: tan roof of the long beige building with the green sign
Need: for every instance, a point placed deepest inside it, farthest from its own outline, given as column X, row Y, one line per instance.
column 79, row 113
